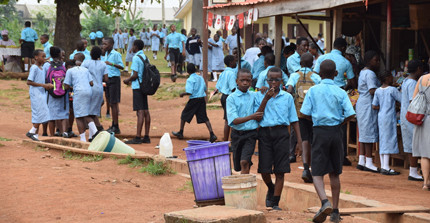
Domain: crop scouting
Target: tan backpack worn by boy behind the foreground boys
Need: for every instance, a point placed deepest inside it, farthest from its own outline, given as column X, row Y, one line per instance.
column 302, row 87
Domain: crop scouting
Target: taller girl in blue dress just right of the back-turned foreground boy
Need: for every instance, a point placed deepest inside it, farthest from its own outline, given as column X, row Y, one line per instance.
column 367, row 118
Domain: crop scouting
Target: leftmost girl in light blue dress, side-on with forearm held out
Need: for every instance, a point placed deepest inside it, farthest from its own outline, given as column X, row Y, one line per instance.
column 38, row 87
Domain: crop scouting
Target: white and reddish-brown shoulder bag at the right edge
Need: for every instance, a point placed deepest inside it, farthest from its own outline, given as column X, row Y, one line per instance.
column 417, row 109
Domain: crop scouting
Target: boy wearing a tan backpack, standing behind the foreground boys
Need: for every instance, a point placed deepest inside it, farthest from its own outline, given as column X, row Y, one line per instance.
column 298, row 84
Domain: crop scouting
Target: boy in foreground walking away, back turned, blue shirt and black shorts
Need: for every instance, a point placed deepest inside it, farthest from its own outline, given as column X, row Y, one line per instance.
column 329, row 108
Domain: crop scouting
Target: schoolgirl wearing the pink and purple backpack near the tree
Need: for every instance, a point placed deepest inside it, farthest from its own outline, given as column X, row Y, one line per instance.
column 59, row 104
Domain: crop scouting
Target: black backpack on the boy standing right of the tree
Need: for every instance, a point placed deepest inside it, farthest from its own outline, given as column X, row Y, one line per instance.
column 150, row 78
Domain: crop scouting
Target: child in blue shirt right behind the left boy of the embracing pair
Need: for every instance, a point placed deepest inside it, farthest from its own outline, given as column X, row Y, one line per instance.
column 225, row 85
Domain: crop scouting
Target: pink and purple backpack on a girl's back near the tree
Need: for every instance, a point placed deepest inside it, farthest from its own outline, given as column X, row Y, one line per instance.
column 55, row 76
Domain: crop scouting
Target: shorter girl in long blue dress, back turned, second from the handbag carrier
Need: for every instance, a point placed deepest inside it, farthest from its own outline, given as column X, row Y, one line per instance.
column 384, row 102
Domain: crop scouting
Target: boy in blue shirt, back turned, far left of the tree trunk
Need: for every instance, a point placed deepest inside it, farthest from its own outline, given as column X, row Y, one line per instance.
column 28, row 37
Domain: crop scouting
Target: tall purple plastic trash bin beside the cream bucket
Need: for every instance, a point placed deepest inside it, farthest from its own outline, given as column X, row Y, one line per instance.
column 208, row 164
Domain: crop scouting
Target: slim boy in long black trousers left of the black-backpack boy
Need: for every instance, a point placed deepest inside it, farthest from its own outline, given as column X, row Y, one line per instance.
column 114, row 64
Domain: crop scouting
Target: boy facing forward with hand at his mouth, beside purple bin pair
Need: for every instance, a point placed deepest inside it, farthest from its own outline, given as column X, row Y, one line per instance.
column 273, row 136
